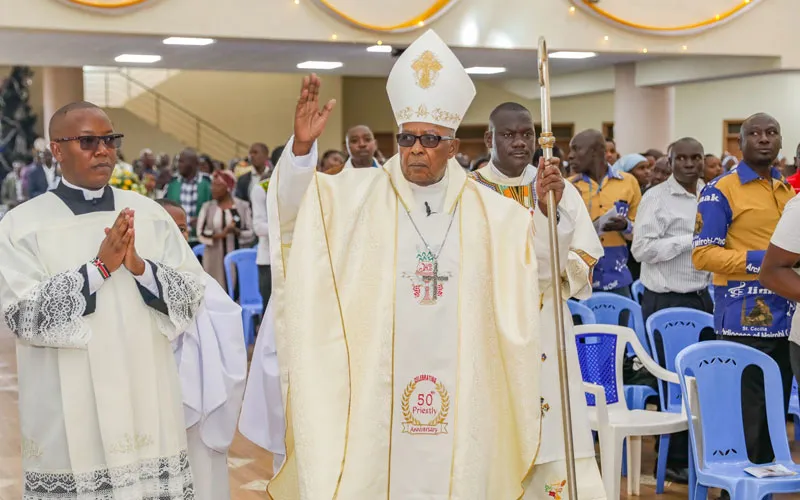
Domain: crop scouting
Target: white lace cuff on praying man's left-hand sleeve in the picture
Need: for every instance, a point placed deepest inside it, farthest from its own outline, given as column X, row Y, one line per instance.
column 51, row 315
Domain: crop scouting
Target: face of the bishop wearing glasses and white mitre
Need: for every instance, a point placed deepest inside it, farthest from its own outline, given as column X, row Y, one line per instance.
column 424, row 151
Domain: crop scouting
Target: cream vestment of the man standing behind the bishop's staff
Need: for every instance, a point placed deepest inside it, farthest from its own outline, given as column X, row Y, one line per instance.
column 579, row 249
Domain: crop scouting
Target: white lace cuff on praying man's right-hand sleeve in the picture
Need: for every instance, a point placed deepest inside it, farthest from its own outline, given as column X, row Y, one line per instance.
column 182, row 294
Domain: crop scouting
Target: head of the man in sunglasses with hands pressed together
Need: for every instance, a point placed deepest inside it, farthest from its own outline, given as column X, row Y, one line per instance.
column 86, row 163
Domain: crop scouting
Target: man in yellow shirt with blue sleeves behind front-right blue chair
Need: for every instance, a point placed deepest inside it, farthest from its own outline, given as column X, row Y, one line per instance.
column 736, row 216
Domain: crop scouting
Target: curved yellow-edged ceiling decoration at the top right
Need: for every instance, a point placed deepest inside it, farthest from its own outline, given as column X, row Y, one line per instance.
column 672, row 18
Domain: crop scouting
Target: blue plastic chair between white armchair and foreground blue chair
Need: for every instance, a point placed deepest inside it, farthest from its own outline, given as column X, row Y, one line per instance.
column 676, row 328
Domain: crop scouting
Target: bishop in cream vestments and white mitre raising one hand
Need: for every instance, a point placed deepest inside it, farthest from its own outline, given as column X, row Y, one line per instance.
column 406, row 310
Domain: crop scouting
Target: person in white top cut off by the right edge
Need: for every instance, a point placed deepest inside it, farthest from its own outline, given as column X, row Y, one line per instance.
column 779, row 270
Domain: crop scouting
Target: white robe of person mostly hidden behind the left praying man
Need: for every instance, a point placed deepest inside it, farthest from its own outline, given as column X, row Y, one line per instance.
column 212, row 364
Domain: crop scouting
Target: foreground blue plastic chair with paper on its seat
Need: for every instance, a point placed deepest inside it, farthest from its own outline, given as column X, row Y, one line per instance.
column 717, row 370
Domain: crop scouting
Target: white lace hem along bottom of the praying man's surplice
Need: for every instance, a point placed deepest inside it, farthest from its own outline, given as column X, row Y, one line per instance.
column 165, row 478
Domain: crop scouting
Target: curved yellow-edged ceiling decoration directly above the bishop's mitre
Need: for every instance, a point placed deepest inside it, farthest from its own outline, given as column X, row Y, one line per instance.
column 375, row 16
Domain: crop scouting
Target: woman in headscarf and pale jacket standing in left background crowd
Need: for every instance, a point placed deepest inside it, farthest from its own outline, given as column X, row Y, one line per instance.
column 225, row 224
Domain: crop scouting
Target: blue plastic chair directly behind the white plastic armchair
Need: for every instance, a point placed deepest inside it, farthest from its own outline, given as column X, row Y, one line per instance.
column 607, row 308
